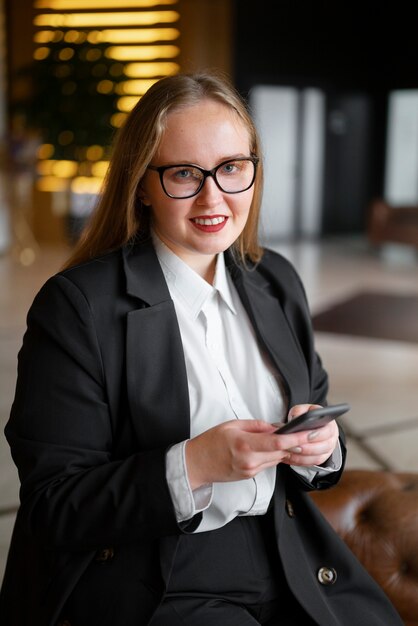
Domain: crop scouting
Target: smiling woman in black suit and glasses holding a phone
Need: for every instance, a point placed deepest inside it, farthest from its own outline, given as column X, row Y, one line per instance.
column 154, row 368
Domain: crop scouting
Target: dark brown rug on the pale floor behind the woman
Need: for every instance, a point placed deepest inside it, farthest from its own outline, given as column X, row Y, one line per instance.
column 378, row 315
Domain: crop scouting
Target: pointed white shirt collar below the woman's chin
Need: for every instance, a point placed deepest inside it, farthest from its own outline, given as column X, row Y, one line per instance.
column 187, row 285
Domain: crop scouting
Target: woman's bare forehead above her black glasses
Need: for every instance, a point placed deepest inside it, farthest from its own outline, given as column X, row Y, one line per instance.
column 206, row 129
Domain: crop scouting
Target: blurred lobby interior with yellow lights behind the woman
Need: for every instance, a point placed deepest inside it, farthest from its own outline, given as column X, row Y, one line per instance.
column 334, row 92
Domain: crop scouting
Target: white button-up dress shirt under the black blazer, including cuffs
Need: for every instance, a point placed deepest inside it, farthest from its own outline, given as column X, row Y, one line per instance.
column 228, row 378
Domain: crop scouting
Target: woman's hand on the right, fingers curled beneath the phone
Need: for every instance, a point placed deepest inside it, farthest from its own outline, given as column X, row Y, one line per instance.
column 320, row 444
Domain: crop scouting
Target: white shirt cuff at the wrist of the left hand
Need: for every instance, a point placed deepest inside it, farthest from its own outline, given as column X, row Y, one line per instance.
column 186, row 502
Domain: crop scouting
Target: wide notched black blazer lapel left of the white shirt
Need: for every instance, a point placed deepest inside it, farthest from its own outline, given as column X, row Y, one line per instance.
column 156, row 372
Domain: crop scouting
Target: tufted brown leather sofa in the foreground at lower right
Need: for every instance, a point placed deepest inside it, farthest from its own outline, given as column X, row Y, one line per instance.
column 376, row 513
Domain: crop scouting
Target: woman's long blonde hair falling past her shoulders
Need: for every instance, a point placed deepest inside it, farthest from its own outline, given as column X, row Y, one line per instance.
column 119, row 216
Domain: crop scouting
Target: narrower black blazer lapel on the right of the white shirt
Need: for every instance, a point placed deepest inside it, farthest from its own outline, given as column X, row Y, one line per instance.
column 274, row 331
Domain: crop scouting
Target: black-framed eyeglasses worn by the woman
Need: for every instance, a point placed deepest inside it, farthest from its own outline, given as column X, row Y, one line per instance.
column 186, row 180
